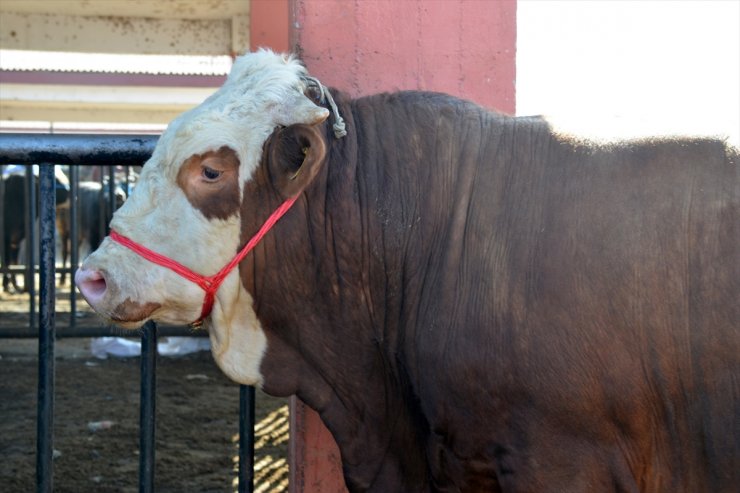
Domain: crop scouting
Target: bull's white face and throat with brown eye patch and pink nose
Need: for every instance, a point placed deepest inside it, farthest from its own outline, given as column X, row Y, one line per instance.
column 186, row 207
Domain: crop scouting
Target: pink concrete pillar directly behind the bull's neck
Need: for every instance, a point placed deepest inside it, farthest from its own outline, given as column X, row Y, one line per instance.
column 466, row 48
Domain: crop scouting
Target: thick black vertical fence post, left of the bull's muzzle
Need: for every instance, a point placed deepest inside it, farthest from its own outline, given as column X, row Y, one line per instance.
column 45, row 404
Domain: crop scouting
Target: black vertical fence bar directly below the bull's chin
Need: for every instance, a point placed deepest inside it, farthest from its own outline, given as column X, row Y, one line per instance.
column 147, row 407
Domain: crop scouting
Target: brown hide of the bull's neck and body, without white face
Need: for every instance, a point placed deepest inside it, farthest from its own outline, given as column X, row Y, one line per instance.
column 475, row 304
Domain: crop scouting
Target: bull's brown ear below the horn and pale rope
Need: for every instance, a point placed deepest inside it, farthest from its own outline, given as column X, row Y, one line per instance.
column 295, row 155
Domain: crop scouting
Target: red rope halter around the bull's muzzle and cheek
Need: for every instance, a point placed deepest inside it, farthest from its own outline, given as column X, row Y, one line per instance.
column 209, row 284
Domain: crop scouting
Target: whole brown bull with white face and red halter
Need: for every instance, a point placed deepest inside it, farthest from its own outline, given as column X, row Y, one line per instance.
column 471, row 301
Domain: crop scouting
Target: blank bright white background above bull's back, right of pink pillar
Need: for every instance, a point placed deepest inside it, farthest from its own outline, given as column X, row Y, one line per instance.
column 622, row 68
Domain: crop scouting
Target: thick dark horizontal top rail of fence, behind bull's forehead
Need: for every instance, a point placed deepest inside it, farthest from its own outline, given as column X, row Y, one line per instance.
column 88, row 150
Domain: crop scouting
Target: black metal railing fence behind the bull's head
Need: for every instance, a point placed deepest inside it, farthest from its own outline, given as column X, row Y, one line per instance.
column 77, row 152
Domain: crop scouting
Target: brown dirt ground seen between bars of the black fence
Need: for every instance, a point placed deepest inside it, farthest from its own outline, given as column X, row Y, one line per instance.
column 196, row 429
